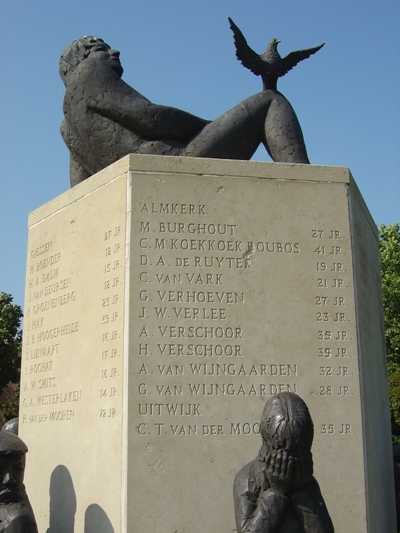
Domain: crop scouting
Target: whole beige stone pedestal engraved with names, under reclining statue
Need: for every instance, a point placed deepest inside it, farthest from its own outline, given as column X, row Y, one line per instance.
column 166, row 300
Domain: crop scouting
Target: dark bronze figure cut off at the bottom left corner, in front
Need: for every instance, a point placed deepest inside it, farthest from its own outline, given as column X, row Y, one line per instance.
column 16, row 514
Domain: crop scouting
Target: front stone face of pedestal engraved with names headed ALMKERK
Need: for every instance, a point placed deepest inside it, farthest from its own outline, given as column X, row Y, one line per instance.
column 241, row 288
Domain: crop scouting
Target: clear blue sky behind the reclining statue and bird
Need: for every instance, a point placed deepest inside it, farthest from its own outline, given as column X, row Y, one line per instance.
column 181, row 53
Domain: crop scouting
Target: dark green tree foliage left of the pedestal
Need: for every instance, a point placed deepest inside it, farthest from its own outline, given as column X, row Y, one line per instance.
column 10, row 340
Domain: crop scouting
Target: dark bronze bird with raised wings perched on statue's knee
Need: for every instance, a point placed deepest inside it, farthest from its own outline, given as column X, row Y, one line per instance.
column 270, row 65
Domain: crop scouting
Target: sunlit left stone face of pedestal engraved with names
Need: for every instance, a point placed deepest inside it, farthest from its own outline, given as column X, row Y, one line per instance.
column 71, row 386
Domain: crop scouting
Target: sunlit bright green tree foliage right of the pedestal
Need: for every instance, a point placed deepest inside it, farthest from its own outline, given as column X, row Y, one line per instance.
column 389, row 247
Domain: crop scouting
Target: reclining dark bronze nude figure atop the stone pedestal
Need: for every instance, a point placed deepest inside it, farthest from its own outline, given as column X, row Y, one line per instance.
column 106, row 119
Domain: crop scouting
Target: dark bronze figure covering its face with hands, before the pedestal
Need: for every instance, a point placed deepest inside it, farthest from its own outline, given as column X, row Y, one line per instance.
column 276, row 492
